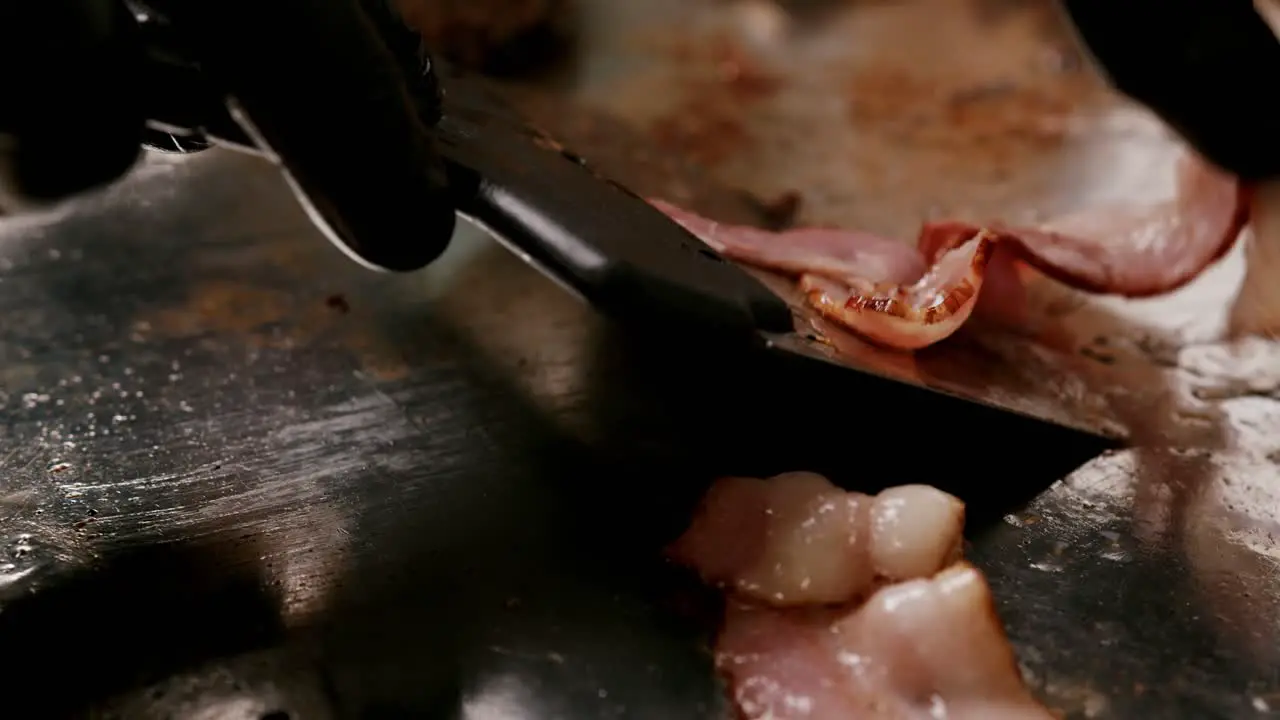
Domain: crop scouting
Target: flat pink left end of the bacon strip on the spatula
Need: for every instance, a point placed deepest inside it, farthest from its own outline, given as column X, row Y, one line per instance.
column 843, row 256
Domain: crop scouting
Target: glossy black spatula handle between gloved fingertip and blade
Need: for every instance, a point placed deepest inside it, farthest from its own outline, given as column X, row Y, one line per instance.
column 591, row 234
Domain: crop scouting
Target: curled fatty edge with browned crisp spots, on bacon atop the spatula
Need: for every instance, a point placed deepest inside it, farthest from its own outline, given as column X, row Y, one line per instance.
column 909, row 317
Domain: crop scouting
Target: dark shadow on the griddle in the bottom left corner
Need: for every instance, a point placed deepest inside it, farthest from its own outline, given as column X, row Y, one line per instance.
column 131, row 622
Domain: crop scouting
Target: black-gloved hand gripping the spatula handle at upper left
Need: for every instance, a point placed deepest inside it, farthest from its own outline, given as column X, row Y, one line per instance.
column 326, row 88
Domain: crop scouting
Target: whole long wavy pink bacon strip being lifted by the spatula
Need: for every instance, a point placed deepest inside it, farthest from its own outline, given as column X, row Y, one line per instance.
column 908, row 299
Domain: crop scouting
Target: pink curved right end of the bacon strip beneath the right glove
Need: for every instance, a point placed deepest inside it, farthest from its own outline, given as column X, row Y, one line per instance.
column 1131, row 252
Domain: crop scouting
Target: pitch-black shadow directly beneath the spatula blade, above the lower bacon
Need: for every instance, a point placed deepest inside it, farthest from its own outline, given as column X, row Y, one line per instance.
column 762, row 416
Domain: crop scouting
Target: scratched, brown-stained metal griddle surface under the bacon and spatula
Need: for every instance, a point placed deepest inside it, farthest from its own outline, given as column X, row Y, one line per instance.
column 245, row 477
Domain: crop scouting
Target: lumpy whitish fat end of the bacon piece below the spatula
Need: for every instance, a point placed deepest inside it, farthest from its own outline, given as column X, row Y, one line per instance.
column 799, row 540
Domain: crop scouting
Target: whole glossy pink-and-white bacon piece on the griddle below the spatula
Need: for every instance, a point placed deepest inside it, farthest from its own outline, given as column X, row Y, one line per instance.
column 799, row 558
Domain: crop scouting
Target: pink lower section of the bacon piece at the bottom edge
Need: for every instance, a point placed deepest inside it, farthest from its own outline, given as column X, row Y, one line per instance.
column 925, row 649
